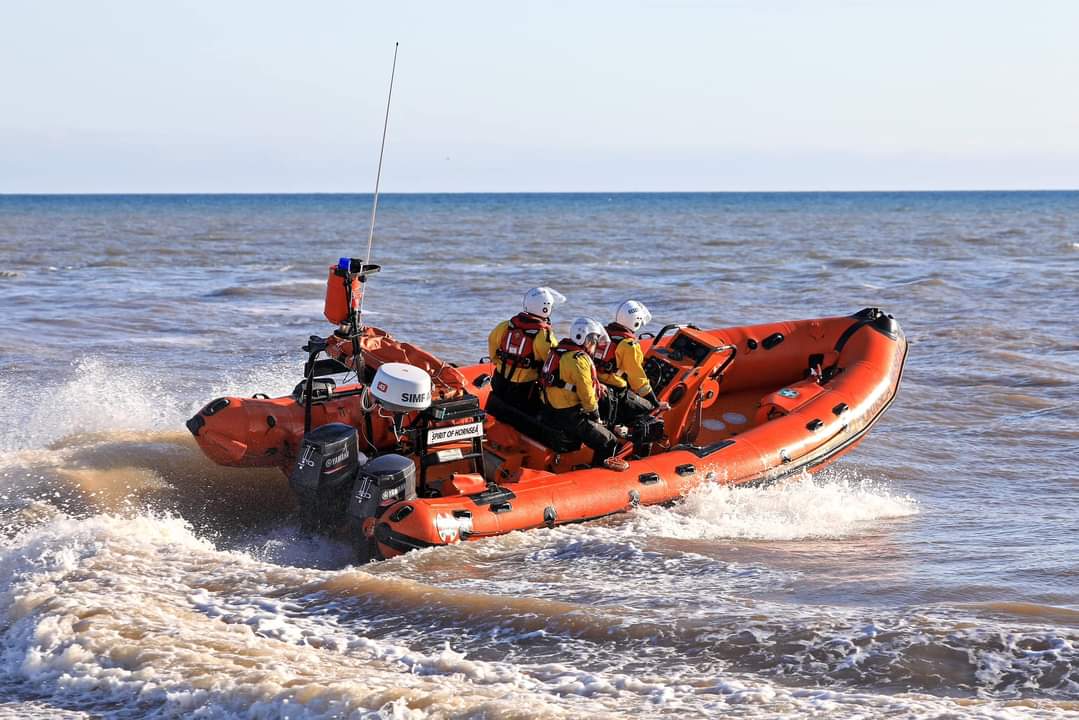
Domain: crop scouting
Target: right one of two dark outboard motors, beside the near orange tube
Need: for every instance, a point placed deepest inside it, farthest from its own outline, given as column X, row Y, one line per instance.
column 384, row 482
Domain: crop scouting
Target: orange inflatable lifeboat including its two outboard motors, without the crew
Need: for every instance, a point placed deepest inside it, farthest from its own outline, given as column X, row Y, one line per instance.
column 749, row 405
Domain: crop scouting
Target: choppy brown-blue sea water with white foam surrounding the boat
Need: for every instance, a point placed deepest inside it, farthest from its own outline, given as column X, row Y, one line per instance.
column 933, row 573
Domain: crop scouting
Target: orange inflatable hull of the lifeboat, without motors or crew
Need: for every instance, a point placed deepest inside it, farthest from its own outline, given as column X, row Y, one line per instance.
column 749, row 405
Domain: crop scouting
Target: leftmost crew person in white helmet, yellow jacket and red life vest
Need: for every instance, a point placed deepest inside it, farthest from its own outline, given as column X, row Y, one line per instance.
column 518, row 348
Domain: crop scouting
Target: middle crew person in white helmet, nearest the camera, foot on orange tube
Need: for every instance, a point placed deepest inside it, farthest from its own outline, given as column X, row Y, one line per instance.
column 571, row 391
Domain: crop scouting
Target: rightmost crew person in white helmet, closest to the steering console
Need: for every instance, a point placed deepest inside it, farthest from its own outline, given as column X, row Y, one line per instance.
column 621, row 365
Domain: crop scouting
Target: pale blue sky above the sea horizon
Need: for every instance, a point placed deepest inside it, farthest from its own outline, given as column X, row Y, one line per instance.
column 199, row 97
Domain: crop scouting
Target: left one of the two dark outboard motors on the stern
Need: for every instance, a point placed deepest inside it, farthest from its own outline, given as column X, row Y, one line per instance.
column 324, row 474
